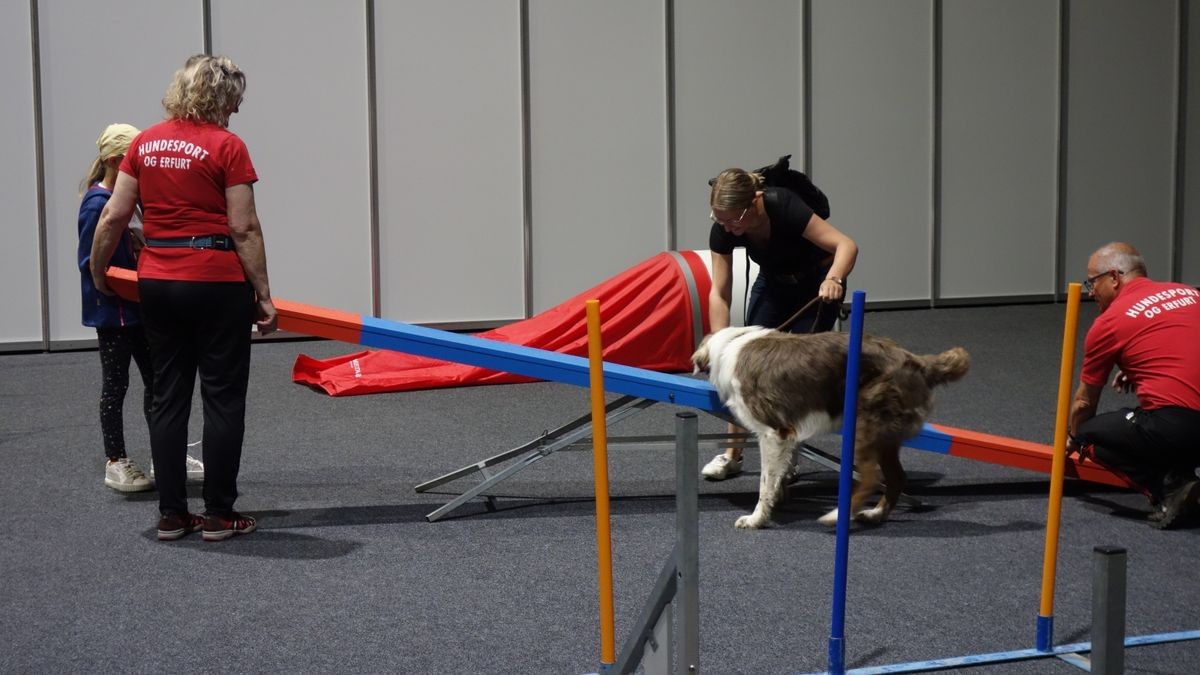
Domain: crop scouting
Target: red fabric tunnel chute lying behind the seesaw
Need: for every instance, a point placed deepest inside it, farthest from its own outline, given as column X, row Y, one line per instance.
column 646, row 318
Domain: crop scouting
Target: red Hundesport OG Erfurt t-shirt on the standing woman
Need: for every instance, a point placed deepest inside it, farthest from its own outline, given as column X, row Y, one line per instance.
column 183, row 170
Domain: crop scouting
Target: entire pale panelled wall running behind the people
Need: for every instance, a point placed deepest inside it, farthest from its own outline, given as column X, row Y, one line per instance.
column 451, row 140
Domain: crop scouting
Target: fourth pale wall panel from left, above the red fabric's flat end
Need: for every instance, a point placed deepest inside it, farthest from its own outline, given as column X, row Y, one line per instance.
column 451, row 174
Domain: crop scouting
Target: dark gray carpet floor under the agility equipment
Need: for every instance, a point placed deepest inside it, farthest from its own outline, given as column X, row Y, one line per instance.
column 346, row 576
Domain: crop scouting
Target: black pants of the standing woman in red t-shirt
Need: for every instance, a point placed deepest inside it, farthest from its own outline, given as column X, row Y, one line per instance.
column 199, row 327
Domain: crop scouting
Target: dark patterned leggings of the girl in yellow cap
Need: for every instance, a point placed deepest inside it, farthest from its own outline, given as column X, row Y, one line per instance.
column 118, row 345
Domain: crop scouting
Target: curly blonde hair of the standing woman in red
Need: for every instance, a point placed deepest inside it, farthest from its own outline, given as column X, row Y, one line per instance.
column 206, row 89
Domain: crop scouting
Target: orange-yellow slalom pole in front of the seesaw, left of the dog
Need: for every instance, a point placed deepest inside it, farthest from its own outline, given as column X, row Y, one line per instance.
column 601, row 469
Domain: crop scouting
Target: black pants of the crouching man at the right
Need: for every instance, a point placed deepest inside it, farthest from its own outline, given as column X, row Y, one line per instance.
column 1147, row 446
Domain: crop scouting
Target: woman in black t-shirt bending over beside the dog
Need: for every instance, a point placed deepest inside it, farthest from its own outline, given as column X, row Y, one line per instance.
column 800, row 255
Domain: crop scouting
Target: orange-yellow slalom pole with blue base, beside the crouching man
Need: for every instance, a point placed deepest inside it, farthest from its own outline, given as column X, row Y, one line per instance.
column 1058, row 469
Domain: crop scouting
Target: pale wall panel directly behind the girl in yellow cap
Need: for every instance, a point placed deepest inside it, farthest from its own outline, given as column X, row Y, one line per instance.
column 98, row 69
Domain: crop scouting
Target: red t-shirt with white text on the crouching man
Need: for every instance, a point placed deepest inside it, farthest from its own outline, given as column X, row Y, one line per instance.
column 1153, row 333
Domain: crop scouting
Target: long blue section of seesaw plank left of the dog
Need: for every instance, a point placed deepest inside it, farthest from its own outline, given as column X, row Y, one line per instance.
column 537, row 363
